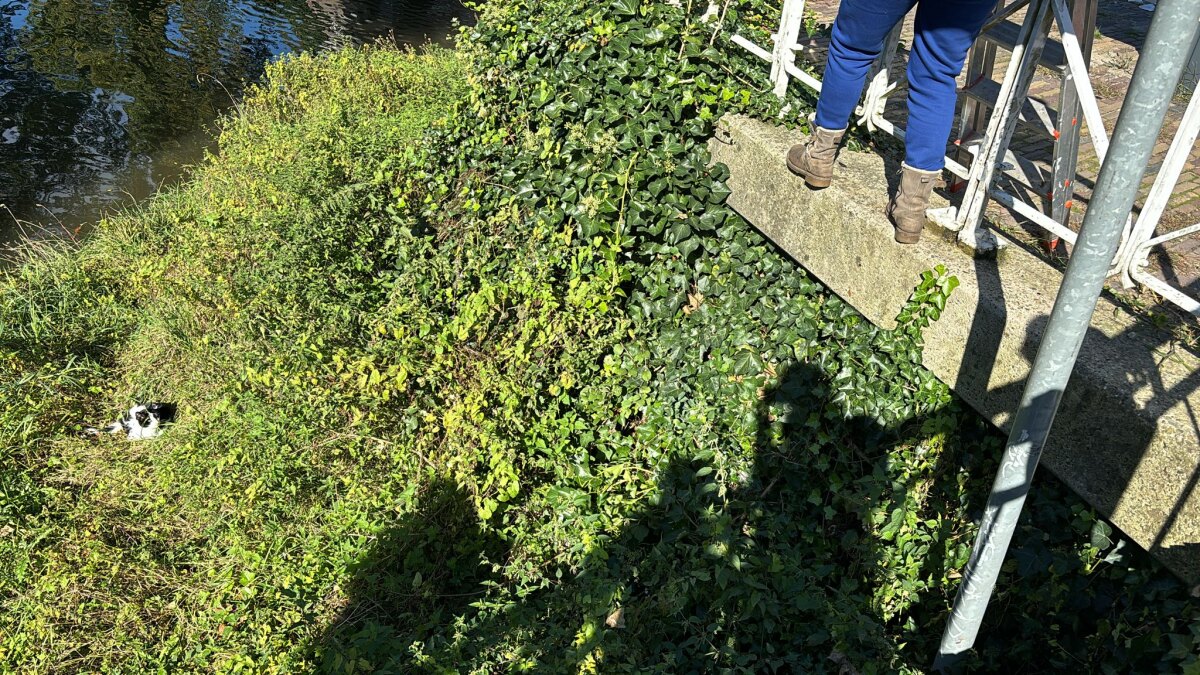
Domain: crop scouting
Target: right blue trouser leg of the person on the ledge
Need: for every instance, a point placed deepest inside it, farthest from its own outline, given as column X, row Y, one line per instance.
column 945, row 32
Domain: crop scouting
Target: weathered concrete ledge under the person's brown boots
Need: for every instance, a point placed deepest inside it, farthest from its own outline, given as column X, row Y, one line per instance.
column 1127, row 437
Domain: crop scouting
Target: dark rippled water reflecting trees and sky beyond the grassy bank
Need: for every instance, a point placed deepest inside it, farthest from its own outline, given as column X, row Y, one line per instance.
column 103, row 101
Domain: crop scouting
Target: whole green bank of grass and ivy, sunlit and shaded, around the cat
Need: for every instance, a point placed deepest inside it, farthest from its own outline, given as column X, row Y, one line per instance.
column 477, row 373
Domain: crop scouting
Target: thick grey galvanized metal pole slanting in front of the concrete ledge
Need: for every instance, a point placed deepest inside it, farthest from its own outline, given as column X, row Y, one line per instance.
column 1172, row 35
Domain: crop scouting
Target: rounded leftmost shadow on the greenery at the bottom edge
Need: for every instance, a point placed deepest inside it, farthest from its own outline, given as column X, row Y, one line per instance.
column 421, row 574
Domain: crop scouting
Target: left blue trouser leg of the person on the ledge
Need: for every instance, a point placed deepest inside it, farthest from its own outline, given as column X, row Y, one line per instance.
column 859, row 35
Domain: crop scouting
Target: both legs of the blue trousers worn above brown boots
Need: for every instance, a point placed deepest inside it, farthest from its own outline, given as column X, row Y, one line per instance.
column 945, row 31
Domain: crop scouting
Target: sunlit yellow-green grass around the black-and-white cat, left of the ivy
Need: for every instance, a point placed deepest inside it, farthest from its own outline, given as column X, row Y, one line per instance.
column 129, row 555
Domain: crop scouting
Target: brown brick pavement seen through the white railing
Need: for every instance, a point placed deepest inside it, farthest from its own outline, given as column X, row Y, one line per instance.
column 1120, row 37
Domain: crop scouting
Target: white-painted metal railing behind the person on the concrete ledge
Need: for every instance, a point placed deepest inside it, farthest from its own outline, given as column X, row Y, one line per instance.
column 1131, row 261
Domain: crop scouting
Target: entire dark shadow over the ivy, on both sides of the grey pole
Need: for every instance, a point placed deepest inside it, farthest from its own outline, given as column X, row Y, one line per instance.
column 823, row 557
